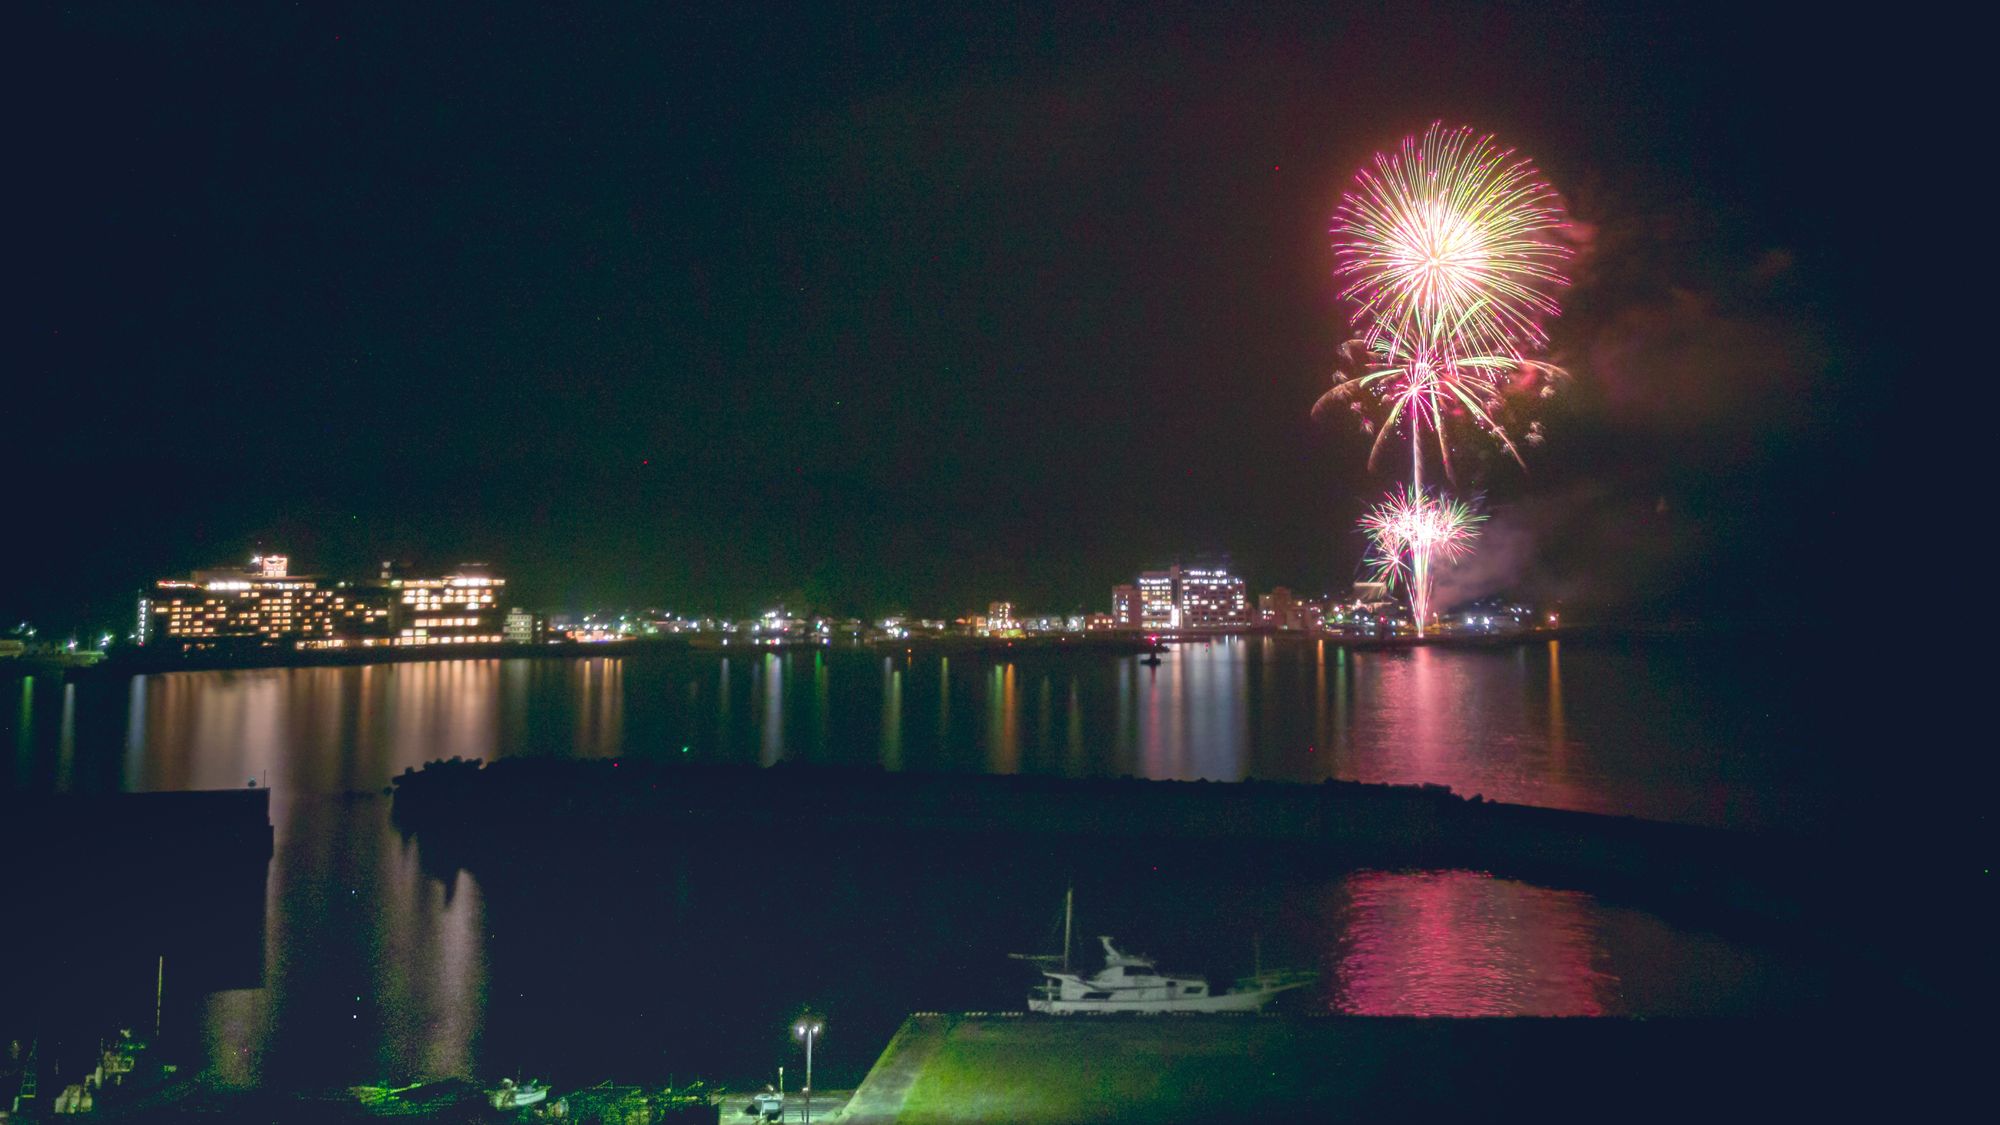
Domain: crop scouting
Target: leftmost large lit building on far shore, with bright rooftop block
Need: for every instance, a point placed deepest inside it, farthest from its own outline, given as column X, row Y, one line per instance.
column 261, row 608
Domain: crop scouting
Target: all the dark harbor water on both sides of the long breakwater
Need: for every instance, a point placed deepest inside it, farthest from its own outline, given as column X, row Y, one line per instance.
column 383, row 964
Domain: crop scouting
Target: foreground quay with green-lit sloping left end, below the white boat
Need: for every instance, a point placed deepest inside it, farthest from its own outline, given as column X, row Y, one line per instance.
column 959, row 1070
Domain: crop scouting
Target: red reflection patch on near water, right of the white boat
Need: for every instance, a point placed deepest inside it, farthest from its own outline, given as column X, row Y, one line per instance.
column 1465, row 944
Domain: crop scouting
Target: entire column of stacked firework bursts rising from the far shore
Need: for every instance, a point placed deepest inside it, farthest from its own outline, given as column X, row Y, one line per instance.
column 1451, row 255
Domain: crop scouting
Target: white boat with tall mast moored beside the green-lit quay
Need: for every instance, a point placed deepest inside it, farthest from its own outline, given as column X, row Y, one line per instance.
column 1131, row 982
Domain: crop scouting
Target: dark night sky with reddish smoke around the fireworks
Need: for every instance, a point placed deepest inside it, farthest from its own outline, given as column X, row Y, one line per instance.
column 897, row 309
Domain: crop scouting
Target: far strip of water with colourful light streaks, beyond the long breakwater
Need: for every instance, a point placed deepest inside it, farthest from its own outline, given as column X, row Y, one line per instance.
column 1507, row 726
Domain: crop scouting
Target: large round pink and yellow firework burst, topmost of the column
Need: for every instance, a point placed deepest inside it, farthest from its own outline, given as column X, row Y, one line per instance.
column 1451, row 245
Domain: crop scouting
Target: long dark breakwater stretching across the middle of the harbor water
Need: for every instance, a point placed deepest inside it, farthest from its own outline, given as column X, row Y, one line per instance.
column 511, row 804
